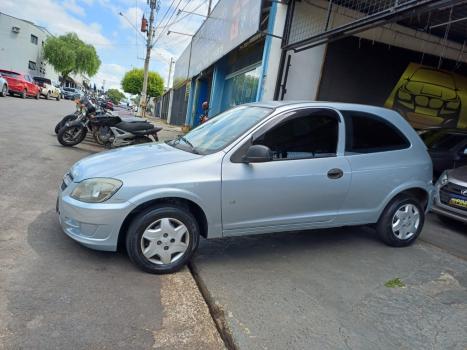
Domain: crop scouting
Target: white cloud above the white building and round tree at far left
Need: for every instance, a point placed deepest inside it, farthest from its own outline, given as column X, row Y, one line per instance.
column 56, row 19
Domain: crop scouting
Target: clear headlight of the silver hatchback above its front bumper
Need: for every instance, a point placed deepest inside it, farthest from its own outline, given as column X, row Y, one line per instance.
column 96, row 190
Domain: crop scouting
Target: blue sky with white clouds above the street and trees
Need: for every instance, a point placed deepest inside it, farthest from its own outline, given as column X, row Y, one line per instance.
column 119, row 46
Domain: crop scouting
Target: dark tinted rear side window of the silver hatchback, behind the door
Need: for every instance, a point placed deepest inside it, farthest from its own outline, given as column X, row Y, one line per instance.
column 368, row 133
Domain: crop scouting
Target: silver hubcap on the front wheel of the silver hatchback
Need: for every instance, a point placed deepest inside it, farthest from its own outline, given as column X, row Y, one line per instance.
column 165, row 241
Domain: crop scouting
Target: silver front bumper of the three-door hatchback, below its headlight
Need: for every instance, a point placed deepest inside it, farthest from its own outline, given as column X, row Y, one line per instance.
column 94, row 225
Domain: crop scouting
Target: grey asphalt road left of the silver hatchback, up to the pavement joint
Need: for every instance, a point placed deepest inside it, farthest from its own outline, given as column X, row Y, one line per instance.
column 56, row 294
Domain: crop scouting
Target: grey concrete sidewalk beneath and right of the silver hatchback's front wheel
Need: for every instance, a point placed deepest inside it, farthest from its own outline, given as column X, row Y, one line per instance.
column 326, row 290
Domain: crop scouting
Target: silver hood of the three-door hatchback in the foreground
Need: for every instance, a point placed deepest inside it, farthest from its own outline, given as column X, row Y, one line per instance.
column 128, row 159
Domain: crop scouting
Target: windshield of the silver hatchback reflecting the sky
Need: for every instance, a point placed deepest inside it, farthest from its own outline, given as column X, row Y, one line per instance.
column 222, row 130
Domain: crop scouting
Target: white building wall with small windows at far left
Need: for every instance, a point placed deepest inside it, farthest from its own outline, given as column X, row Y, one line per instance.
column 16, row 49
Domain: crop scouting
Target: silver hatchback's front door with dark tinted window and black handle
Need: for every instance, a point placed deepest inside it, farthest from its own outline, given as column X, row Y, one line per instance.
column 301, row 187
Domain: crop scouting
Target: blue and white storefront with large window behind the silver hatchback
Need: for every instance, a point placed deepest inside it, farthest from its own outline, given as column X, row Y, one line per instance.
column 227, row 61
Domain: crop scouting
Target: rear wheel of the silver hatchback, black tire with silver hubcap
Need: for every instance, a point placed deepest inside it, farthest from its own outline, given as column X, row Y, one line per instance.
column 401, row 221
